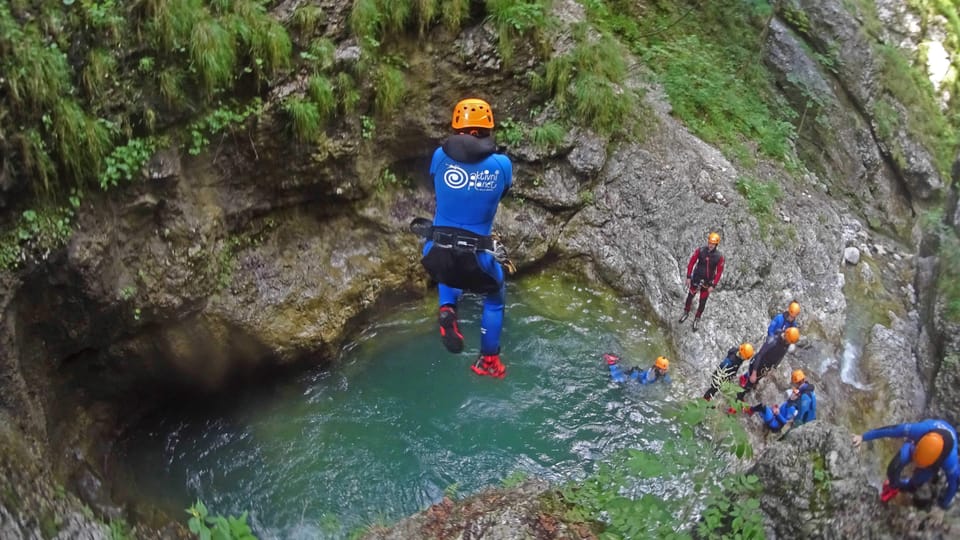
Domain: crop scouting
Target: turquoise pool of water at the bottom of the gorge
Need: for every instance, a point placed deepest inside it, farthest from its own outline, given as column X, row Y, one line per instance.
column 399, row 422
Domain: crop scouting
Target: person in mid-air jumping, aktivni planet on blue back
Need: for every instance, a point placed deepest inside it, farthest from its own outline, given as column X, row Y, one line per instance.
column 470, row 178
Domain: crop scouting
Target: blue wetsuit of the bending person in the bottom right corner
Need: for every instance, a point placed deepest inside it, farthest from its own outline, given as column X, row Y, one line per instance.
column 913, row 433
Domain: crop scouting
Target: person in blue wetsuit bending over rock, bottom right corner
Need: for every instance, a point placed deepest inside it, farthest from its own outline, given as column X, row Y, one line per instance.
column 931, row 446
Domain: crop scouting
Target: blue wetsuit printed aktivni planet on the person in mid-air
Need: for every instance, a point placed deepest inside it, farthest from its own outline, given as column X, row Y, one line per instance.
column 470, row 179
